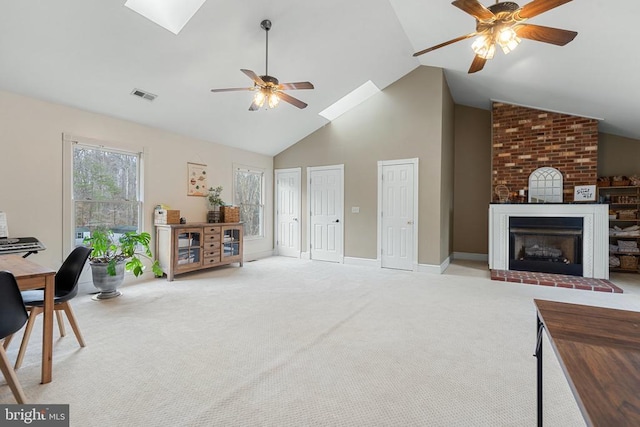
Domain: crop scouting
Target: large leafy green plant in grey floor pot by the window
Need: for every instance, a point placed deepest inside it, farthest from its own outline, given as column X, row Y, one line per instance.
column 111, row 257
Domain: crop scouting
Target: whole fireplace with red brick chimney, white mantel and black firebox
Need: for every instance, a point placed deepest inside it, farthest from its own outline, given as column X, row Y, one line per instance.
column 523, row 140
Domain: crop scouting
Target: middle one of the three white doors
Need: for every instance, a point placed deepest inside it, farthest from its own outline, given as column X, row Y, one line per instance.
column 325, row 193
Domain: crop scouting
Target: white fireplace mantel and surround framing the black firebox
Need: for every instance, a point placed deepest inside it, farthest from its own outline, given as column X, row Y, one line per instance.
column 595, row 238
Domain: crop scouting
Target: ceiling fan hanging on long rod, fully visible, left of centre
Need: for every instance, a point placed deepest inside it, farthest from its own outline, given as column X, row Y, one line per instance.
column 266, row 87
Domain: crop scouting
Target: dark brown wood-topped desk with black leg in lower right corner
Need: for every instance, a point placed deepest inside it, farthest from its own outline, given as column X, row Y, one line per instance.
column 599, row 351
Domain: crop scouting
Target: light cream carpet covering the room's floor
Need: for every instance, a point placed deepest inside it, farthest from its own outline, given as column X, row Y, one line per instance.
column 288, row 342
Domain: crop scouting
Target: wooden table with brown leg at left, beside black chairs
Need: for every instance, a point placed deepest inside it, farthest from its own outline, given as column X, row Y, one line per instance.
column 34, row 276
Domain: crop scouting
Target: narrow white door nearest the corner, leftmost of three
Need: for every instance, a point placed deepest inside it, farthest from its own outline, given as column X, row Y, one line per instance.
column 288, row 212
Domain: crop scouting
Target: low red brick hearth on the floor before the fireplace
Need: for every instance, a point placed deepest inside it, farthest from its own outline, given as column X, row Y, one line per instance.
column 557, row 280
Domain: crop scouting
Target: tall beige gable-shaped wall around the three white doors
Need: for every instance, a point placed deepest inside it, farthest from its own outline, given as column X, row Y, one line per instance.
column 404, row 121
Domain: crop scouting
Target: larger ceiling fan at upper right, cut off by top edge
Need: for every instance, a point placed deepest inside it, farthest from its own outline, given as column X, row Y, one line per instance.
column 503, row 24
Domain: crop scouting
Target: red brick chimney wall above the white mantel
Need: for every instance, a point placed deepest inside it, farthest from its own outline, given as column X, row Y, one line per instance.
column 524, row 139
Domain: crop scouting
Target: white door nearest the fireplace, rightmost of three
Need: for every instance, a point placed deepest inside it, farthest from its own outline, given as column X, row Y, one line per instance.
column 397, row 216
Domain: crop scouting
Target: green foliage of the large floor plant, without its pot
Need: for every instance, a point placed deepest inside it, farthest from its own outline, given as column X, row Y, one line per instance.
column 130, row 247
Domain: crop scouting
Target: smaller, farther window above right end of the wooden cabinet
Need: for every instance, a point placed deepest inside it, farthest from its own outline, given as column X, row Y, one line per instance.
column 248, row 193
